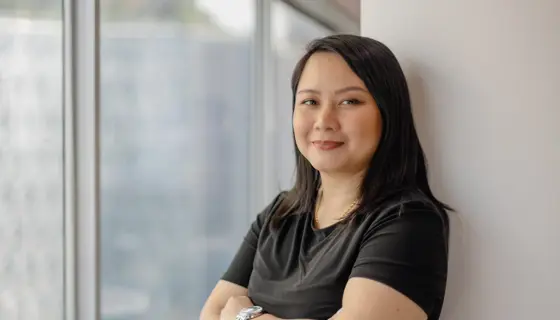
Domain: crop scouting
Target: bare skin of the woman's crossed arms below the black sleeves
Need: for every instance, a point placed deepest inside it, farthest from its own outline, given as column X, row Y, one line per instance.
column 363, row 299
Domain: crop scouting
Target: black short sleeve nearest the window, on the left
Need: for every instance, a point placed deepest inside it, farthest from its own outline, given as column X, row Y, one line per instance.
column 241, row 267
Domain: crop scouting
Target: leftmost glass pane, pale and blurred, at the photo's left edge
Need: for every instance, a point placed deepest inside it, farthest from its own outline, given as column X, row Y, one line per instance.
column 31, row 160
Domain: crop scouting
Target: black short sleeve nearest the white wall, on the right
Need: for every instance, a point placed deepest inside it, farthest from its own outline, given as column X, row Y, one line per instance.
column 408, row 252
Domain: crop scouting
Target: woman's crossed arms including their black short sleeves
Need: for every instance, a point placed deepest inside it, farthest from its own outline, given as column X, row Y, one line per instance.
column 408, row 252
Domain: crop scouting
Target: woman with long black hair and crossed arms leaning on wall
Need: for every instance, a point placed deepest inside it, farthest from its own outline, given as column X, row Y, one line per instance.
column 360, row 235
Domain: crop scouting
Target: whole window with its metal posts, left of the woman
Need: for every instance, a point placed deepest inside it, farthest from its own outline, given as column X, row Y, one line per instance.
column 194, row 132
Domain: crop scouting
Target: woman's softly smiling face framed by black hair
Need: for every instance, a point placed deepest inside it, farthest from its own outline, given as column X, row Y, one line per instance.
column 337, row 124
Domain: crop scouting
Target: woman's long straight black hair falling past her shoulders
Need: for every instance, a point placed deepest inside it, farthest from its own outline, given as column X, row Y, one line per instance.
column 398, row 166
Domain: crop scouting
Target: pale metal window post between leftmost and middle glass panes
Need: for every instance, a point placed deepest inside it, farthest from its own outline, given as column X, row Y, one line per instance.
column 81, row 159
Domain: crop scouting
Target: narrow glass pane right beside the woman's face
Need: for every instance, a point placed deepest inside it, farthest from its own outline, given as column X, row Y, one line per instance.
column 291, row 31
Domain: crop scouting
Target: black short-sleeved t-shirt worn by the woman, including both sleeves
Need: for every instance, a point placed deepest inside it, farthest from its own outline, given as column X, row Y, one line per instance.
column 297, row 271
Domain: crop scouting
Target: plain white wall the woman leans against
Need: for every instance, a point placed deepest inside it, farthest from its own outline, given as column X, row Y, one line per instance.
column 485, row 82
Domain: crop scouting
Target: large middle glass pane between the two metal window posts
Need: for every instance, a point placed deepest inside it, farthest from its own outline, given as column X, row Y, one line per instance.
column 175, row 98
